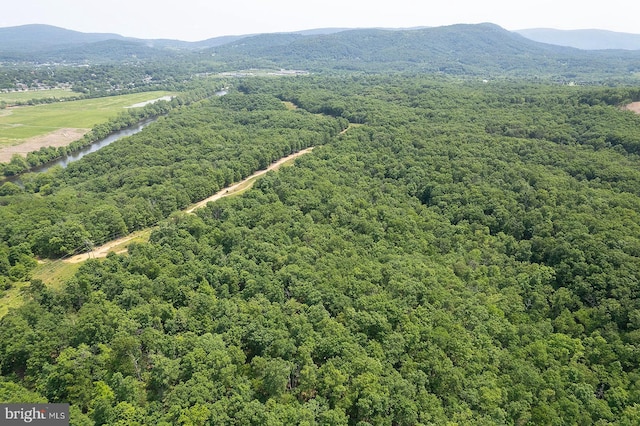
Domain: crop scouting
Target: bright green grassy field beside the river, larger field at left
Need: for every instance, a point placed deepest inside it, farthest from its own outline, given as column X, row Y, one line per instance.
column 21, row 123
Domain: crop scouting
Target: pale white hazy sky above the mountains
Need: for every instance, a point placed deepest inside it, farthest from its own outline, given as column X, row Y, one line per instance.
column 195, row 20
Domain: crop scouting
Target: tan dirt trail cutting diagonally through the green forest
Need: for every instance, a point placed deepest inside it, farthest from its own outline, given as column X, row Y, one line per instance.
column 104, row 249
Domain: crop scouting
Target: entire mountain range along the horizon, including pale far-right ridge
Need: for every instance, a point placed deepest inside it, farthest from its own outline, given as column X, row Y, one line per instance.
column 479, row 49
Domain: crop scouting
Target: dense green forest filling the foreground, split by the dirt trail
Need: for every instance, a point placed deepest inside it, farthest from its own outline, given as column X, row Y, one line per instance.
column 452, row 252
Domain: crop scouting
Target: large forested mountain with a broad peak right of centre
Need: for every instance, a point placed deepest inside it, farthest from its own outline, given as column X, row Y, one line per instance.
column 479, row 49
